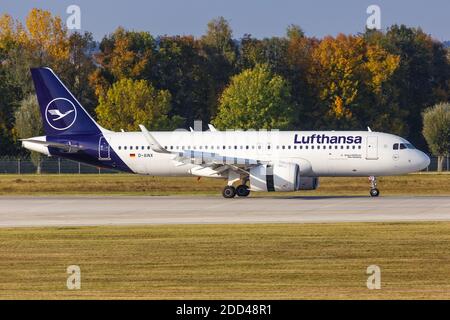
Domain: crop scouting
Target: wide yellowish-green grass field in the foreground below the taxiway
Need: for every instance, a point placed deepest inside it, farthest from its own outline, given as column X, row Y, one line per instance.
column 228, row 261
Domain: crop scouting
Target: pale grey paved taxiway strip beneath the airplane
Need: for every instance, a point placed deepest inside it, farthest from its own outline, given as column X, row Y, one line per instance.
column 91, row 211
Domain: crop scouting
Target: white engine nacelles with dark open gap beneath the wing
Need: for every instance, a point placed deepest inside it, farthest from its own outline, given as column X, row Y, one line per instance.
column 282, row 177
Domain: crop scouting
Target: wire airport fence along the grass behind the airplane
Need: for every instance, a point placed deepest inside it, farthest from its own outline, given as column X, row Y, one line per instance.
column 63, row 166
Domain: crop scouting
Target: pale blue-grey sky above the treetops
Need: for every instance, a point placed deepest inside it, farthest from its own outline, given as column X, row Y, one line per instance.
column 261, row 18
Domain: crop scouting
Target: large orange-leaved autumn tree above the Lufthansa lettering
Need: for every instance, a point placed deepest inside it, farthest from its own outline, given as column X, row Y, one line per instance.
column 349, row 73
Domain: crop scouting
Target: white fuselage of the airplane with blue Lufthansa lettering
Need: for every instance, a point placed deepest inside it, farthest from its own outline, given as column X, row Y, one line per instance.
column 318, row 153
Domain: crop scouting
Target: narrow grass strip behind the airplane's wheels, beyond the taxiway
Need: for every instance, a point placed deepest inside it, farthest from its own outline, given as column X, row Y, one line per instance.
column 115, row 184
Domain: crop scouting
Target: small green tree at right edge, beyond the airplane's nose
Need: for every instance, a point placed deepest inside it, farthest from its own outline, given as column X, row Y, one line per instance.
column 436, row 130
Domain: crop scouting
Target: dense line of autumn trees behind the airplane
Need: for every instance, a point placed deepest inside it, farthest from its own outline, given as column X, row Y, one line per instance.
column 382, row 79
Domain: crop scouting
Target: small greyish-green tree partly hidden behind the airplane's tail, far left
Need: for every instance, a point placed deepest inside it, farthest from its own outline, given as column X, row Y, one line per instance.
column 28, row 124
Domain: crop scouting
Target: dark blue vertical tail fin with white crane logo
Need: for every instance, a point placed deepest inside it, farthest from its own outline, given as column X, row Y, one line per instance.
column 61, row 112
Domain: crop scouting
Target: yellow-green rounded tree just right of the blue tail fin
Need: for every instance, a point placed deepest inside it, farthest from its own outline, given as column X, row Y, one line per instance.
column 129, row 103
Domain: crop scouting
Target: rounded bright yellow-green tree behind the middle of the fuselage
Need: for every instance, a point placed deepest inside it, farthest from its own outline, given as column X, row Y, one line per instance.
column 255, row 99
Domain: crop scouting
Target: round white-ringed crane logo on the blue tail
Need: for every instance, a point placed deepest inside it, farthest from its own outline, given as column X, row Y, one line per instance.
column 60, row 114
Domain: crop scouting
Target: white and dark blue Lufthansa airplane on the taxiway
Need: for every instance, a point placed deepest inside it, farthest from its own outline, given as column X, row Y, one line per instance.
column 249, row 161
